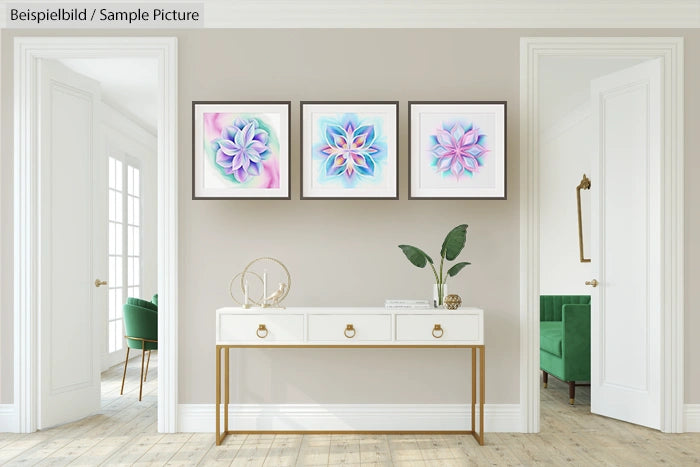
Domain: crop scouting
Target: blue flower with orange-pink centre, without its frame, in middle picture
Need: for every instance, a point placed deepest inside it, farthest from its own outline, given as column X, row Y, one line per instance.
column 351, row 150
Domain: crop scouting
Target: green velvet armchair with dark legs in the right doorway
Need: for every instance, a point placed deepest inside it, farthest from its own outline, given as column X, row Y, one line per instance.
column 565, row 339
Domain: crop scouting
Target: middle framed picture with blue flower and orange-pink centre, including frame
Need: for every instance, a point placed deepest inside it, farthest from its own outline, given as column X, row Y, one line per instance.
column 349, row 150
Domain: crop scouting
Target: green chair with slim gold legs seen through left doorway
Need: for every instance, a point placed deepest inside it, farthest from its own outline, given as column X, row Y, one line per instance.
column 141, row 326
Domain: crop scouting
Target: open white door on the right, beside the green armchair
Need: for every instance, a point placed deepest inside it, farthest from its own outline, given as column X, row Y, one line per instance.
column 625, row 245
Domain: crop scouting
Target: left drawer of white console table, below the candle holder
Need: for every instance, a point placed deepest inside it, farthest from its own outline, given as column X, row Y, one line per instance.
column 261, row 328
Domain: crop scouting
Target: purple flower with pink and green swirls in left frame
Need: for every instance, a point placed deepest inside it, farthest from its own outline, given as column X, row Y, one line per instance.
column 243, row 148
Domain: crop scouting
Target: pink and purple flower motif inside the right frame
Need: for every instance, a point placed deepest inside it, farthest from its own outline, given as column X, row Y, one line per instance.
column 458, row 148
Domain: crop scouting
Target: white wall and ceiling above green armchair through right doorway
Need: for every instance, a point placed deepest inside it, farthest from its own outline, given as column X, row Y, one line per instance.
column 565, row 132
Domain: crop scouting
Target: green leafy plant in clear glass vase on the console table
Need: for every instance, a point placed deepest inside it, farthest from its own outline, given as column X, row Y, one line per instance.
column 451, row 248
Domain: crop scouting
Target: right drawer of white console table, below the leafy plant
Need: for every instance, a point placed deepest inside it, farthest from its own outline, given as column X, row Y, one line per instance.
column 439, row 328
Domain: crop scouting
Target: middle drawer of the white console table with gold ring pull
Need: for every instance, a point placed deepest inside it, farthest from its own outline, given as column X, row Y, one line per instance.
column 346, row 329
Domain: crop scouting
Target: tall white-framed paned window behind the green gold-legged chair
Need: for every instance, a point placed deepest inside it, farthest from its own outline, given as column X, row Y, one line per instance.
column 124, row 243
